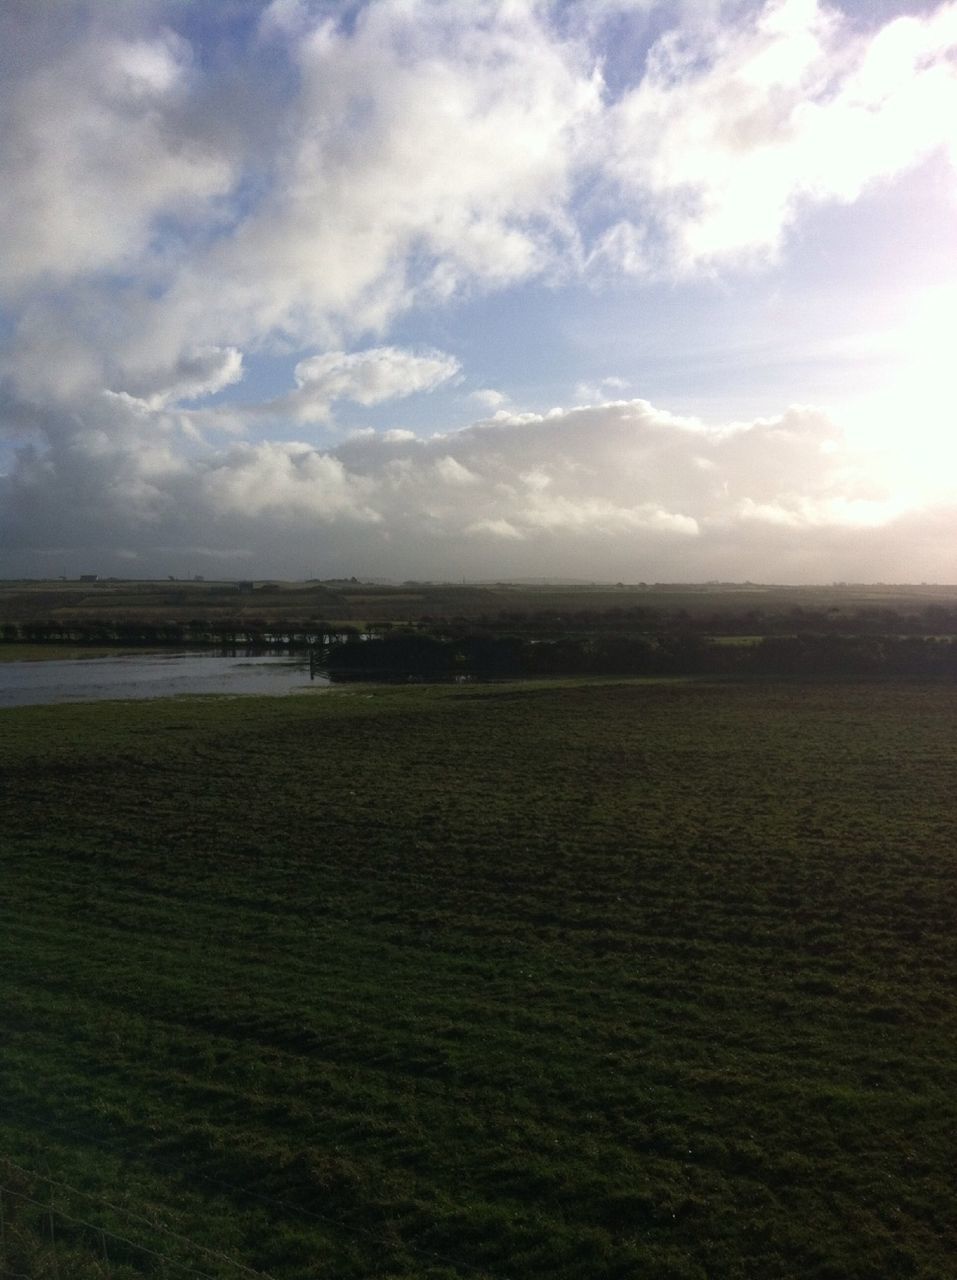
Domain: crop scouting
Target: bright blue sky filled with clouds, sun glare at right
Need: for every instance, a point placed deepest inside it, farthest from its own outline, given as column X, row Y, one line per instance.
column 603, row 290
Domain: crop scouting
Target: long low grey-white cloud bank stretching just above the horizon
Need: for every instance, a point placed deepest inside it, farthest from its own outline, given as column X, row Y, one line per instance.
column 590, row 491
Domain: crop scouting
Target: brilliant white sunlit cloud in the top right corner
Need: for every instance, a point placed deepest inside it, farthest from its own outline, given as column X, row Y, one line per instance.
column 734, row 129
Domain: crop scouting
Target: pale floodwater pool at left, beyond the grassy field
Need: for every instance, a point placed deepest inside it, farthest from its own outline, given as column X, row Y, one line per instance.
column 155, row 675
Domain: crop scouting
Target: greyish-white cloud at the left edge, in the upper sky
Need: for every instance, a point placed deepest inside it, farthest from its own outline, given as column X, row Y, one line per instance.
column 95, row 147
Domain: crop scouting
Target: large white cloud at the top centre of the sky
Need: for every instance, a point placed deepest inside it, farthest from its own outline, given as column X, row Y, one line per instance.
column 431, row 147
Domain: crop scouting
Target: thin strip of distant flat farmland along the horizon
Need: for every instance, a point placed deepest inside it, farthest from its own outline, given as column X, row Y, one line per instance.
column 423, row 602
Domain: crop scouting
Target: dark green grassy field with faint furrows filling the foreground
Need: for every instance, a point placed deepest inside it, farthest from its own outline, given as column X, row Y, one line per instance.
column 567, row 981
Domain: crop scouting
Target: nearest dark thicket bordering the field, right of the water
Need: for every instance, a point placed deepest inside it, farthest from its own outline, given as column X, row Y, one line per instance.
column 402, row 655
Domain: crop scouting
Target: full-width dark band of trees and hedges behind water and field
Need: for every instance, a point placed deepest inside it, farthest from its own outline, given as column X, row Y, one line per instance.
column 621, row 642
